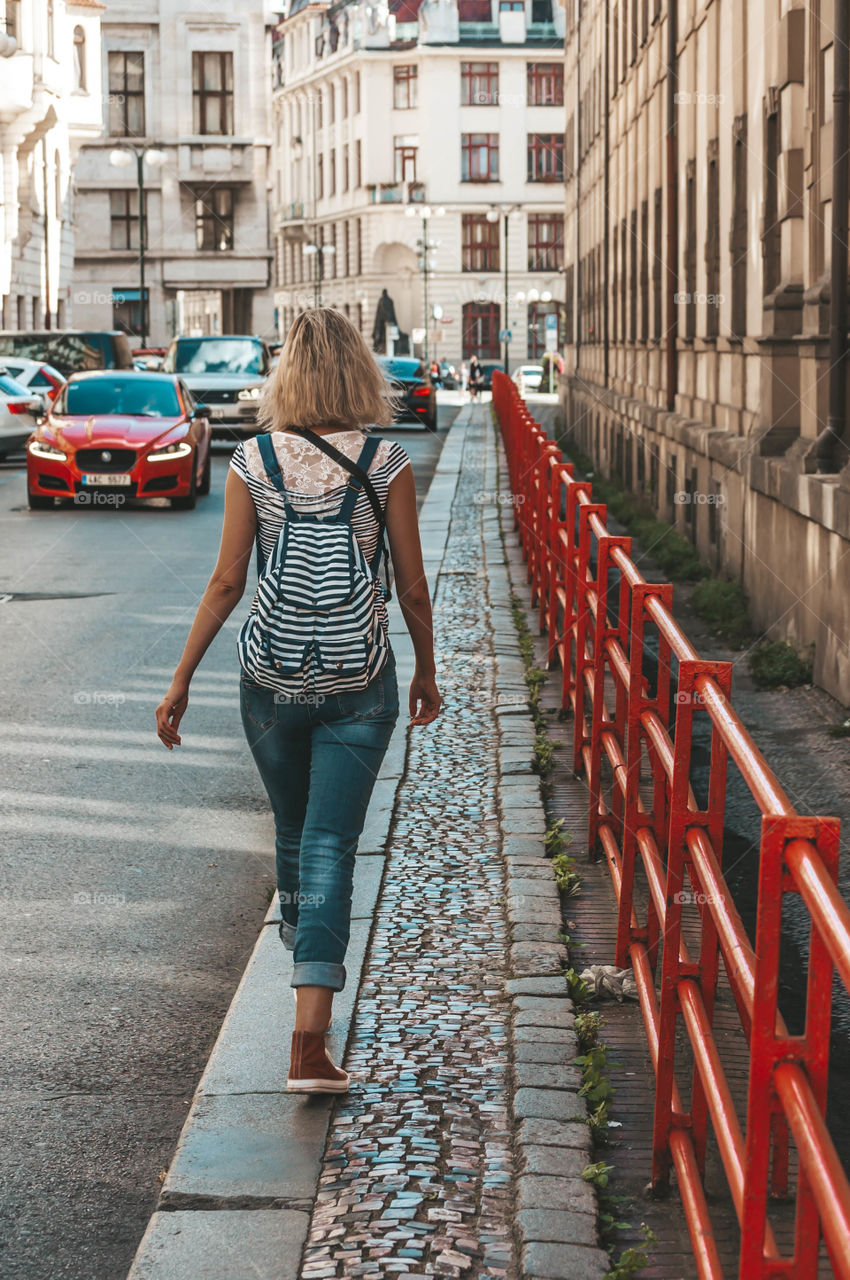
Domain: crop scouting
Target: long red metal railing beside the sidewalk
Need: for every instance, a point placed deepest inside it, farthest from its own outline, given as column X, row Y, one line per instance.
column 645, row 817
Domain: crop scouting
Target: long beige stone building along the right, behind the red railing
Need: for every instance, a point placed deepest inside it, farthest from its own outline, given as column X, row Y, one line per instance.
column 698, row 290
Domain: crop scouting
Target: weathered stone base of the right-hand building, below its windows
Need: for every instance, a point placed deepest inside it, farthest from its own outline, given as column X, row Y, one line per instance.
column 755, row 518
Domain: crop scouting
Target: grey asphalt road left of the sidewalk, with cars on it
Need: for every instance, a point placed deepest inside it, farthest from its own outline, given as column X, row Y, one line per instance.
column 132, row 881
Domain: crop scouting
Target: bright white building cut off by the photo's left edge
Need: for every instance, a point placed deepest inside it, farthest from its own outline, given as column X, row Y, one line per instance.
column 51, row 106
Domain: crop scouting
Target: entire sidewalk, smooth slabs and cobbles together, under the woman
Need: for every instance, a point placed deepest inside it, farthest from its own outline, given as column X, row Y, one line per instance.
column 459, row 1151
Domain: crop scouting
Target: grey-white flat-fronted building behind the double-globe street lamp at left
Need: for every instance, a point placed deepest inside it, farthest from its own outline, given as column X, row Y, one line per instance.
column 189, row 86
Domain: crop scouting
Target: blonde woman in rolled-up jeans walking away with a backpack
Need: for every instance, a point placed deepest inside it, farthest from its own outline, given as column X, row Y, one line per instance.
column 318, row 689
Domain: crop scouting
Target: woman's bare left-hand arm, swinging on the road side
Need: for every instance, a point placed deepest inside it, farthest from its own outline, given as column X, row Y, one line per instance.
column 223, row 595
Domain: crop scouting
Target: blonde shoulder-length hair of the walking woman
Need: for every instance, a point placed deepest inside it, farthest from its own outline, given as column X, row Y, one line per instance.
column 326, row 374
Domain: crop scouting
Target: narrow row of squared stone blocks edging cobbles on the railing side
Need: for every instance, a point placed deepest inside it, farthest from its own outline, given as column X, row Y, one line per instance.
column 556, row 1209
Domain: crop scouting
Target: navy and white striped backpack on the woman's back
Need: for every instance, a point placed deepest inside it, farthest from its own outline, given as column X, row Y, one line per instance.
column 317, row 627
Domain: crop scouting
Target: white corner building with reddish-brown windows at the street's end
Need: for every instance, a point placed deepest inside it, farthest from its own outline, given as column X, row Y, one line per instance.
column 449, row 108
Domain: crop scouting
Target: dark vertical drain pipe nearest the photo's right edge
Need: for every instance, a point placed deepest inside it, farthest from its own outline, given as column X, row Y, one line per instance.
column 831, row 452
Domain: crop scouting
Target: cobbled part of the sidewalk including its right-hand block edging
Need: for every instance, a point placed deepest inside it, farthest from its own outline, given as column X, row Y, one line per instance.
column 460, row 1149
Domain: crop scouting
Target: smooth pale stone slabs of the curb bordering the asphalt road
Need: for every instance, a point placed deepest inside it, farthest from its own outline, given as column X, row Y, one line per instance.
column 239, row 1195
